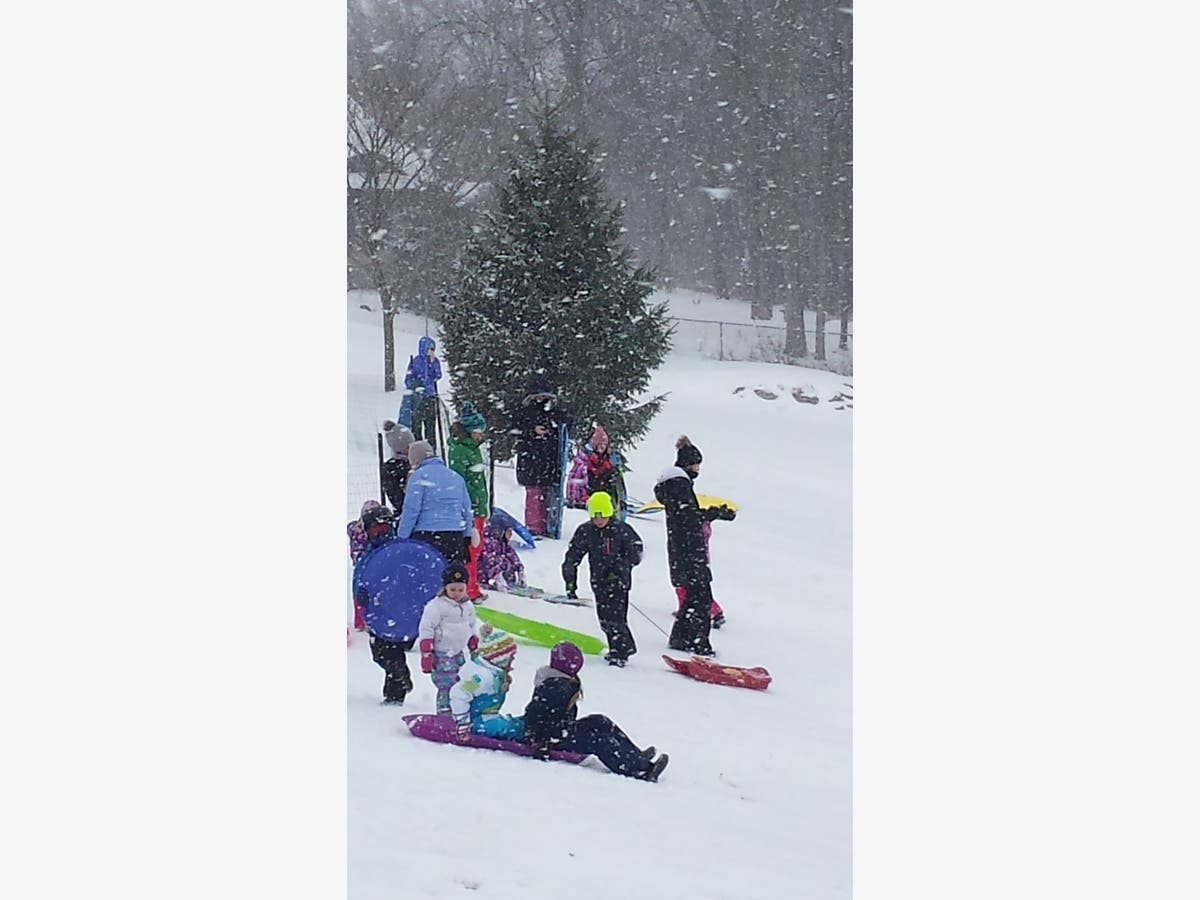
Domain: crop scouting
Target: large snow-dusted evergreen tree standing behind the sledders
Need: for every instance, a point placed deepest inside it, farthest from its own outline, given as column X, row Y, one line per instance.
column 547, row 289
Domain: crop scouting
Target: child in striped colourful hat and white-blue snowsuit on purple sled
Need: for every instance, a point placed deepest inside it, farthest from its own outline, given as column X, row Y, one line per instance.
column 483, row 685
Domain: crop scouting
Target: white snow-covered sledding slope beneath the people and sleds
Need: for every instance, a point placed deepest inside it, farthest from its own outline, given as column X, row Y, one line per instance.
column 757, row 801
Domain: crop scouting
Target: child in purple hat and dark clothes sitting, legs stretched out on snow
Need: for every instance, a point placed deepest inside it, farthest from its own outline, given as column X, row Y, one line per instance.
column 551, row 722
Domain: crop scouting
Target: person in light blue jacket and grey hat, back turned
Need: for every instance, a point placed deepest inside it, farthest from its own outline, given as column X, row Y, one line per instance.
column 437, row 506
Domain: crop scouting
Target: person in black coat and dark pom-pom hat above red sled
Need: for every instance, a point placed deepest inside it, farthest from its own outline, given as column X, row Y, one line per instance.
column 686, row 549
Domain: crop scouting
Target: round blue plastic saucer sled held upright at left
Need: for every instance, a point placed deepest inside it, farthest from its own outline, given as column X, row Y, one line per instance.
column 401, row 578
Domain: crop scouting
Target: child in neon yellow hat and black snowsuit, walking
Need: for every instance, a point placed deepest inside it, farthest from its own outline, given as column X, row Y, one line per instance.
column 613, row 549
